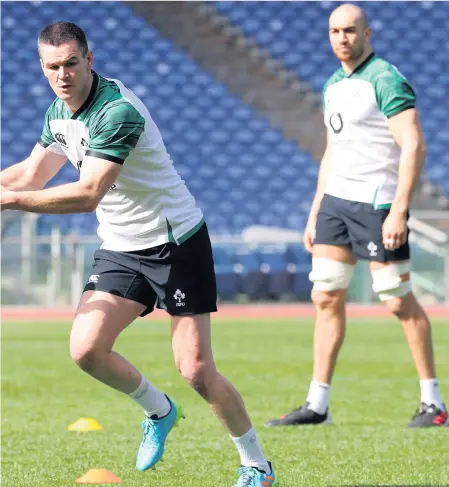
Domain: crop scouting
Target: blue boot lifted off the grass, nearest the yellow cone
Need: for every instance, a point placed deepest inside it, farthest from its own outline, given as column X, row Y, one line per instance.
column 155, row 431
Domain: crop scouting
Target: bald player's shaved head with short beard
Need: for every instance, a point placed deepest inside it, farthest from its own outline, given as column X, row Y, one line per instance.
column 349, row 35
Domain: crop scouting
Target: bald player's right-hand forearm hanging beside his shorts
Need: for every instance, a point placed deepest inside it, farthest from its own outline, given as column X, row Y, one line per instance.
column 410, row 168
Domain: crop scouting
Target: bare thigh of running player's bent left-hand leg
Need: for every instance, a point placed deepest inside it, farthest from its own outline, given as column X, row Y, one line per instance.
column 100, row 318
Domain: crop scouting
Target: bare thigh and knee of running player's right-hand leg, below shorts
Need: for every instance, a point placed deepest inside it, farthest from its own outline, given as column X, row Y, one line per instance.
column 191, row 343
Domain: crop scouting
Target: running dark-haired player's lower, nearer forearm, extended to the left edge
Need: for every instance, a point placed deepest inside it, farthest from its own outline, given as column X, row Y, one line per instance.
column 68, row 198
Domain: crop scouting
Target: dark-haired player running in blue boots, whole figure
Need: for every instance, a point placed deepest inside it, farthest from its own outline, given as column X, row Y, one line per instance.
column 155, row 252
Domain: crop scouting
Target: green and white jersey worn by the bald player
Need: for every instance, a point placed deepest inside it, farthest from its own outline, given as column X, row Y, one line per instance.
column 364, row 155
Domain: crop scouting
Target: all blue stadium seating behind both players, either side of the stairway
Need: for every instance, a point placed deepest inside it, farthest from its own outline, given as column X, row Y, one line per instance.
column 241, row 170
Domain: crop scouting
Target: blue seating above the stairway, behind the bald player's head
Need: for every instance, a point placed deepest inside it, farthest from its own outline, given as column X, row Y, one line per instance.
column 297, row 35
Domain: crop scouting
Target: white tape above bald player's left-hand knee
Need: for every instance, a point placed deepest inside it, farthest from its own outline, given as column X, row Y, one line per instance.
column 330, row 275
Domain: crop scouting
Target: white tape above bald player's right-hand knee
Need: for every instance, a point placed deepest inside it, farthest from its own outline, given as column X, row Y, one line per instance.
column 387, row 281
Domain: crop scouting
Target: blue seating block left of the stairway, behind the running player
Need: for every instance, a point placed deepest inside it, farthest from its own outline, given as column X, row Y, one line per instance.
column 263, row 178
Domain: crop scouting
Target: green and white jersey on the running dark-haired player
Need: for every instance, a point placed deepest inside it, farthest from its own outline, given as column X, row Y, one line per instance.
column 149, row 204
